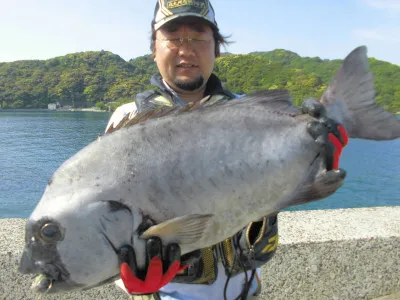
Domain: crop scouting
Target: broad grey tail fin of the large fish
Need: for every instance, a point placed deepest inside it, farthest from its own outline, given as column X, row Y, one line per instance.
column 350, row 100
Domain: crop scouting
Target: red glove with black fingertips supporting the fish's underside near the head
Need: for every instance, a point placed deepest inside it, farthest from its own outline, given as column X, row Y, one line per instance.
column 159, row 270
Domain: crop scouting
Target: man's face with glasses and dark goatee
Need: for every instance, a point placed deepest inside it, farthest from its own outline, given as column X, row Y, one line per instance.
column 185, row 66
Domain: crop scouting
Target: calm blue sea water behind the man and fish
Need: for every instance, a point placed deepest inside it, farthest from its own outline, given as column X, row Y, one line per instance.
column 34, row 143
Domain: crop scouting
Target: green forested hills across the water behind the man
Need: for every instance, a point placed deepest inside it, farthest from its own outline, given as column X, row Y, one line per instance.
column 103, row 78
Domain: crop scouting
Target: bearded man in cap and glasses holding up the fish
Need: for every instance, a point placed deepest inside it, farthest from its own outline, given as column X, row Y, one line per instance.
column 185, row 42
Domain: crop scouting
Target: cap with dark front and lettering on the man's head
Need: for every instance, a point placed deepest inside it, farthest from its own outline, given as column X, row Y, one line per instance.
column 168, row 10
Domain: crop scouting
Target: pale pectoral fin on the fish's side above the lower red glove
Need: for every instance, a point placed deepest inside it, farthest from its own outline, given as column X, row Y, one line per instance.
column 184, row 230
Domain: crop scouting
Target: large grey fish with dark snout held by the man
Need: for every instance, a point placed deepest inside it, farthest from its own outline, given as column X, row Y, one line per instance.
column 201, row 175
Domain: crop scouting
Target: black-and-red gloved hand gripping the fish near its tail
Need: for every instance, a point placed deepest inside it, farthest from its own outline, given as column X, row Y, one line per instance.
column 328, row 134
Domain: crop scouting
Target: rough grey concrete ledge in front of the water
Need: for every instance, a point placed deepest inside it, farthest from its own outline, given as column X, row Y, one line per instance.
column 329, row 254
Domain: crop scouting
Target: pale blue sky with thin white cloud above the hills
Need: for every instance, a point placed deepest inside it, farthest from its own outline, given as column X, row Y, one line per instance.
column 42, row 29
